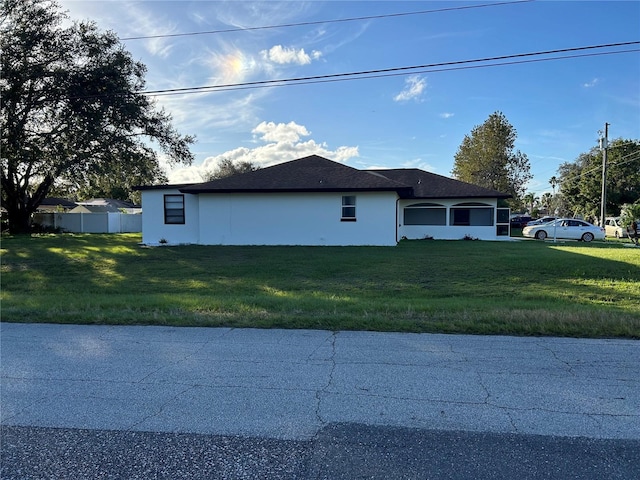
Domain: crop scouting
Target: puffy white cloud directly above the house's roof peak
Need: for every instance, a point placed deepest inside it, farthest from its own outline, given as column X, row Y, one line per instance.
column 284, row 144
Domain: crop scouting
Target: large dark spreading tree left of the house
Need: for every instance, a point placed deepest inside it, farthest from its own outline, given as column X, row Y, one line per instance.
column 73, row 110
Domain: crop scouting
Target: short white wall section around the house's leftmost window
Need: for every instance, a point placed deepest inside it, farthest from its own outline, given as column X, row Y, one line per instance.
column 154, row 230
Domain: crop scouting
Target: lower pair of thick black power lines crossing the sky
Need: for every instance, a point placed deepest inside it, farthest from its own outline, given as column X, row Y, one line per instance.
column 454, row 65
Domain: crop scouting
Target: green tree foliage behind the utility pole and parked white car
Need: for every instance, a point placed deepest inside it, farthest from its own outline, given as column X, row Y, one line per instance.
column 581, row 181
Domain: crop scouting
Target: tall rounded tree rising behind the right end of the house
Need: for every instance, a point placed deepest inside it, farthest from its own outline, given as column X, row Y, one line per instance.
column 487, row 158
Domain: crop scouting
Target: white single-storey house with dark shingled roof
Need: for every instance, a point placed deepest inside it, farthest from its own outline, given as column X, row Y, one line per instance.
column 316, row 201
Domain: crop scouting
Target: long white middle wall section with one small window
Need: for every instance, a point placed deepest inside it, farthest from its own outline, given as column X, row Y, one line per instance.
column 296, row 219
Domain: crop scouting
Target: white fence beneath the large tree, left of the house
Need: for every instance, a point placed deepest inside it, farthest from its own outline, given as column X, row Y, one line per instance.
column 91, row 222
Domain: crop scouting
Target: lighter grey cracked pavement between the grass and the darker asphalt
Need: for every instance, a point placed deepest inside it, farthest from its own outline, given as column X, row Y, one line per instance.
column 300, row 385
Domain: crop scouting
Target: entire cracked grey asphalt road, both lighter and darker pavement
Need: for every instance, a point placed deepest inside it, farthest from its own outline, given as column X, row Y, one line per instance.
column 157, row 402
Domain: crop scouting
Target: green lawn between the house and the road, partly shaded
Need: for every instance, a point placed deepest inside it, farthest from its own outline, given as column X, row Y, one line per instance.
column 518, row 288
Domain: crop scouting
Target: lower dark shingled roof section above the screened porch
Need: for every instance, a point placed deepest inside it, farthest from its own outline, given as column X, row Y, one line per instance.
column 430, row 185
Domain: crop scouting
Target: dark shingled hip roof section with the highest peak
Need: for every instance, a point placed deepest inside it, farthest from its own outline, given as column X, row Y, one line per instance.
column 309, row 174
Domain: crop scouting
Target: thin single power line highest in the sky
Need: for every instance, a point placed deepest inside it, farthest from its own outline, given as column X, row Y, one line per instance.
column 321, row 22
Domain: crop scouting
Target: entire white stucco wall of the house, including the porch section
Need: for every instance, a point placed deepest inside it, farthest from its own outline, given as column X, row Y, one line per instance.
column 297, row 219
